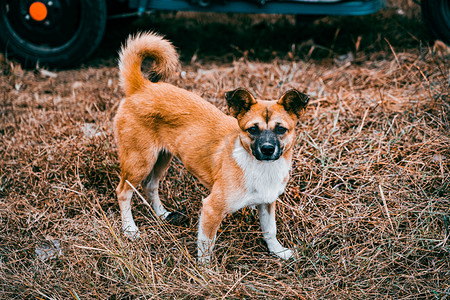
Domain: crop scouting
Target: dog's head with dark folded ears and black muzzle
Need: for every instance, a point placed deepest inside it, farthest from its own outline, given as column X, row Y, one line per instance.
column 268, row 127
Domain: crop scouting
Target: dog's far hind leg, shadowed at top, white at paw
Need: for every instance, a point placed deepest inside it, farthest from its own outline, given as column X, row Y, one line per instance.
column 151, row 183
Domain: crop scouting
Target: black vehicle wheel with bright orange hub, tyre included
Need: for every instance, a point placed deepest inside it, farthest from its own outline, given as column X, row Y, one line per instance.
column 53, row 33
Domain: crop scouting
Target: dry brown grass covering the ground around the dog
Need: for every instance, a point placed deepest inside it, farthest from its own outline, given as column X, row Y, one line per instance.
column 367, row 207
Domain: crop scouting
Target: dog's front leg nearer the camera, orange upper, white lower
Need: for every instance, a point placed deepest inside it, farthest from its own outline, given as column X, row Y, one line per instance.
column 211, row 216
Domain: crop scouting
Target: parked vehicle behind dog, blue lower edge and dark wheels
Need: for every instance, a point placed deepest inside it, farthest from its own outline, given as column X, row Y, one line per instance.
column 63, row 33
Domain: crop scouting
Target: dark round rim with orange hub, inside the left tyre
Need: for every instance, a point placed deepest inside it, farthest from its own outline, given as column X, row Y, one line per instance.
column 44, row 25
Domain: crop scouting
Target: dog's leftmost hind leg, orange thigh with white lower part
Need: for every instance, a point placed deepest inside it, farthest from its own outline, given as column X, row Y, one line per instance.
column 134, row 168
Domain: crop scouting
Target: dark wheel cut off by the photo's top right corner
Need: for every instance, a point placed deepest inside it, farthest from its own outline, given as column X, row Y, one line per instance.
column 436, row 14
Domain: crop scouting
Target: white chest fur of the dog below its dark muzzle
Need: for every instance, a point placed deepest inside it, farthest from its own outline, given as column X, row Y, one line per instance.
column 264, row 180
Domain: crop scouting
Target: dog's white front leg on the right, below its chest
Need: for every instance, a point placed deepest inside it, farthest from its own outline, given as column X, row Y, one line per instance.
column 269, row 228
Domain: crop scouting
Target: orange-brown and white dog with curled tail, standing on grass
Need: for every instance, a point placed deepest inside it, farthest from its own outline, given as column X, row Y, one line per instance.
column 244, row 159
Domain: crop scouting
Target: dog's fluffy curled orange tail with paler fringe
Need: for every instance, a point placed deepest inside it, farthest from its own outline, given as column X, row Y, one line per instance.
column 136, row 49
